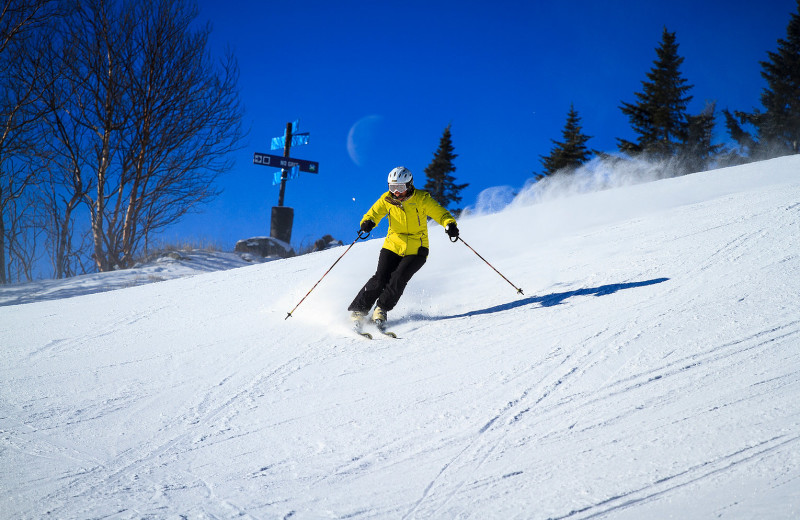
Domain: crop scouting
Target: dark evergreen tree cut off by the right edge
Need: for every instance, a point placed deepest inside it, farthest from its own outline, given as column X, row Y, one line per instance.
column 778, row 126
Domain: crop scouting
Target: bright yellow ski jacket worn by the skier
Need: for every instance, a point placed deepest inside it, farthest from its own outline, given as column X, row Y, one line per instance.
column 408, row 220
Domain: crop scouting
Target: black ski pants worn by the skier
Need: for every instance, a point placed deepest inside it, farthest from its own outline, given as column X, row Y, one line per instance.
column 388, row 283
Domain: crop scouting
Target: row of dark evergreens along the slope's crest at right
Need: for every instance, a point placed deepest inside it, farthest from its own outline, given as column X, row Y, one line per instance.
column 665, row 130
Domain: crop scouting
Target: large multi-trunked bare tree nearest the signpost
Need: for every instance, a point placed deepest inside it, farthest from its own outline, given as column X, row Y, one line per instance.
column 145, row 120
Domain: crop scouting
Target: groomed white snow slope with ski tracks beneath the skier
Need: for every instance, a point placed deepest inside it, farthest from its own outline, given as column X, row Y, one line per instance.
column 652, row 370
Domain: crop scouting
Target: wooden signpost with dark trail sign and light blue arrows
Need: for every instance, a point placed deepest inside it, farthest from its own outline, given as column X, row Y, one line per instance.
column 283, row 217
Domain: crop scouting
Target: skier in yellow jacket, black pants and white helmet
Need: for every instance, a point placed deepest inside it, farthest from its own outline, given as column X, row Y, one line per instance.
column 406, row 246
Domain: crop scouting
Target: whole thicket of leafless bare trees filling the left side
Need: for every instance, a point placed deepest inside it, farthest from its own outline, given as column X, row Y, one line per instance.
column 115, row 122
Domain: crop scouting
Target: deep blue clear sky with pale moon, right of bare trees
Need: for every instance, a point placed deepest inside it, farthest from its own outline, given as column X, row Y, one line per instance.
column 393, row 75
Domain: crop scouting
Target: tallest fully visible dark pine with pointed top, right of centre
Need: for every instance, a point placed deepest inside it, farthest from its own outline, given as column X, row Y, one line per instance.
column 659, row 115
